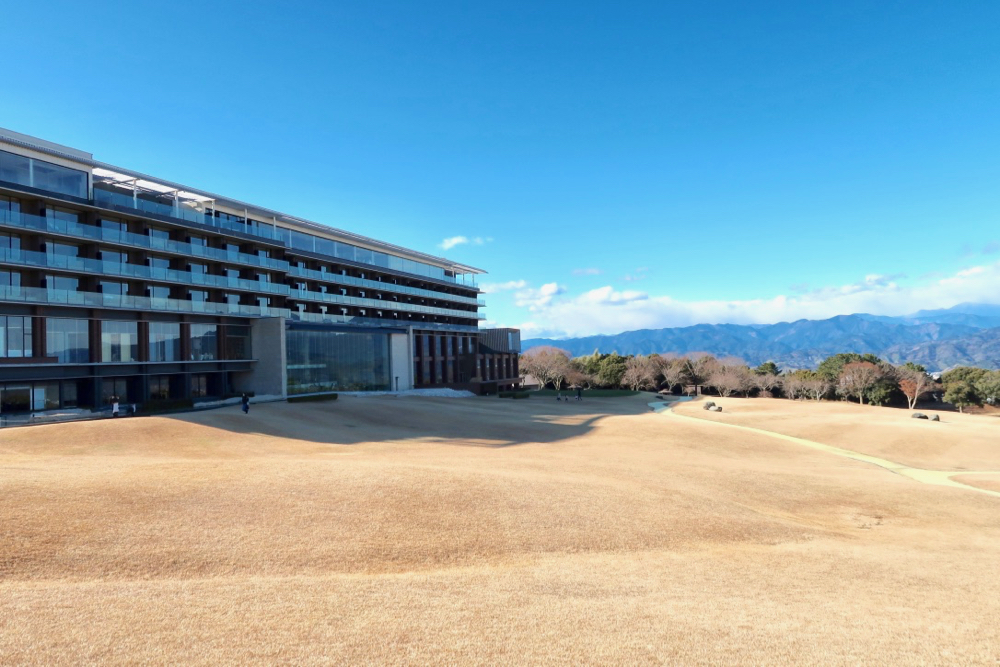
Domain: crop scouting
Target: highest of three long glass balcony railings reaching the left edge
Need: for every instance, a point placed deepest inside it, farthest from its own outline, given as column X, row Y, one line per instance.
column 39, row 223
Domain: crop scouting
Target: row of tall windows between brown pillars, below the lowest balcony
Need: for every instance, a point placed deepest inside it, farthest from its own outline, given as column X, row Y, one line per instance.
column 68, row 340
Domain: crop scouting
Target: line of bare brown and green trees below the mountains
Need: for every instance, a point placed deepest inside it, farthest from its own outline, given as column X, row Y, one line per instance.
column 849, row 376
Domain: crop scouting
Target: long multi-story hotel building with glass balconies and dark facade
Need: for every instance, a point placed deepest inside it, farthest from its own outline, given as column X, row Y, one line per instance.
column 116, row 283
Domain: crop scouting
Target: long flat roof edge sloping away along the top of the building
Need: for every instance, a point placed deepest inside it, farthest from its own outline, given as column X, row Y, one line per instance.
column 267, row 215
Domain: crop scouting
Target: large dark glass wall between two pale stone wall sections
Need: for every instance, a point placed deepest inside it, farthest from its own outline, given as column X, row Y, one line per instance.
column 337, row 361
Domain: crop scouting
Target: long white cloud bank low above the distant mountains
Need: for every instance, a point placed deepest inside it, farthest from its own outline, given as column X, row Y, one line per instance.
column 605, row 310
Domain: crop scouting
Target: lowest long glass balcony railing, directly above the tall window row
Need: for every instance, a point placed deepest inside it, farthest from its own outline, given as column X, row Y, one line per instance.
column 96, row 300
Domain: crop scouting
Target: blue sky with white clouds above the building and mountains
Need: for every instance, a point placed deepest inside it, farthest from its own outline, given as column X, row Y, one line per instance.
column 611, row 165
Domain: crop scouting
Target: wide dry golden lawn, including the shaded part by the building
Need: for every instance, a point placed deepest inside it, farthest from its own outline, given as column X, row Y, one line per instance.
column 487, row 531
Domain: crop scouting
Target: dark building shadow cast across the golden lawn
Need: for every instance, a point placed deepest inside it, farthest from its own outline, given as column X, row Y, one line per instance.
column 472, row 422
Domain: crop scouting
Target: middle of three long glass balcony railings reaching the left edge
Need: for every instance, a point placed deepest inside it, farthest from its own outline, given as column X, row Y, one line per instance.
column 43, row 260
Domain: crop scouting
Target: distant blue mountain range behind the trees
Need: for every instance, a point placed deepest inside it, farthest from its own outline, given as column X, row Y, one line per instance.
column 967, row 334
